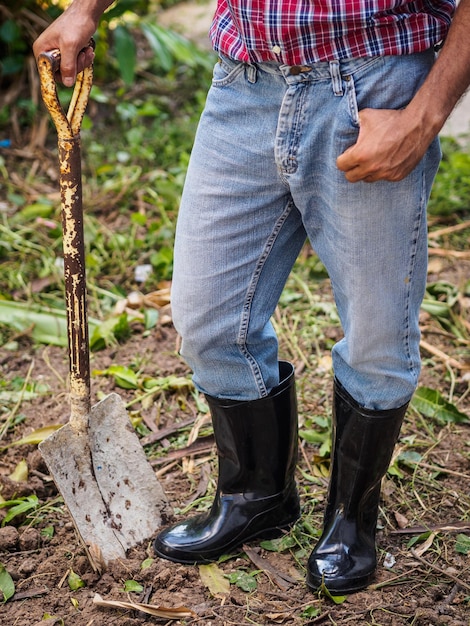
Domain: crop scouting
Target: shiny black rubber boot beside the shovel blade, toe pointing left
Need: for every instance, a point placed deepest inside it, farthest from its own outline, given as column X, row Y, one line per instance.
column 256, row 493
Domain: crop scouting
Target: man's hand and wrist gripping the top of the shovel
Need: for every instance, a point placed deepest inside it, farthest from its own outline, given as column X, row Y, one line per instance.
column 71, row 33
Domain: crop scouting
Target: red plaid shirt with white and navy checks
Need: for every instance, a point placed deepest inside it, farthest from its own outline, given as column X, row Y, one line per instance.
column 298, row 32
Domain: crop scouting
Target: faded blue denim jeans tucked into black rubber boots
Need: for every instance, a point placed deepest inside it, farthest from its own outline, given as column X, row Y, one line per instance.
column 262, row 178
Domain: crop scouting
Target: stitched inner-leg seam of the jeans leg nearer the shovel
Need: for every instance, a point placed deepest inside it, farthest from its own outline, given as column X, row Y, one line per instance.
column 250, row 294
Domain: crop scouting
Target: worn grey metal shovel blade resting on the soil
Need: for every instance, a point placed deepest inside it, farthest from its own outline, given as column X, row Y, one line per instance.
column 106, row 480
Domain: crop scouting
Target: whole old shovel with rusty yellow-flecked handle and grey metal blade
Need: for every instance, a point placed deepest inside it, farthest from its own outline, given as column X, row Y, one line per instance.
column 96, row 460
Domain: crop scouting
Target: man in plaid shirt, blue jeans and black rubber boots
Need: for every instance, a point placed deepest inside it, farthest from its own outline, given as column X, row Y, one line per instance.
column 321, row 122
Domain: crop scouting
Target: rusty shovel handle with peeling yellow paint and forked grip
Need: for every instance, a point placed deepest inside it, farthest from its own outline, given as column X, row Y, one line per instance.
column 68, row 131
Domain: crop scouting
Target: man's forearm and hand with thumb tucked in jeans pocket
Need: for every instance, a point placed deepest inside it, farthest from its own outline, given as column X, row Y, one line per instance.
column 391, row 143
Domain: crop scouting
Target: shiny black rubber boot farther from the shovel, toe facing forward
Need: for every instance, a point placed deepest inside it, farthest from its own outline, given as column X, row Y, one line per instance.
column 363, row 441
